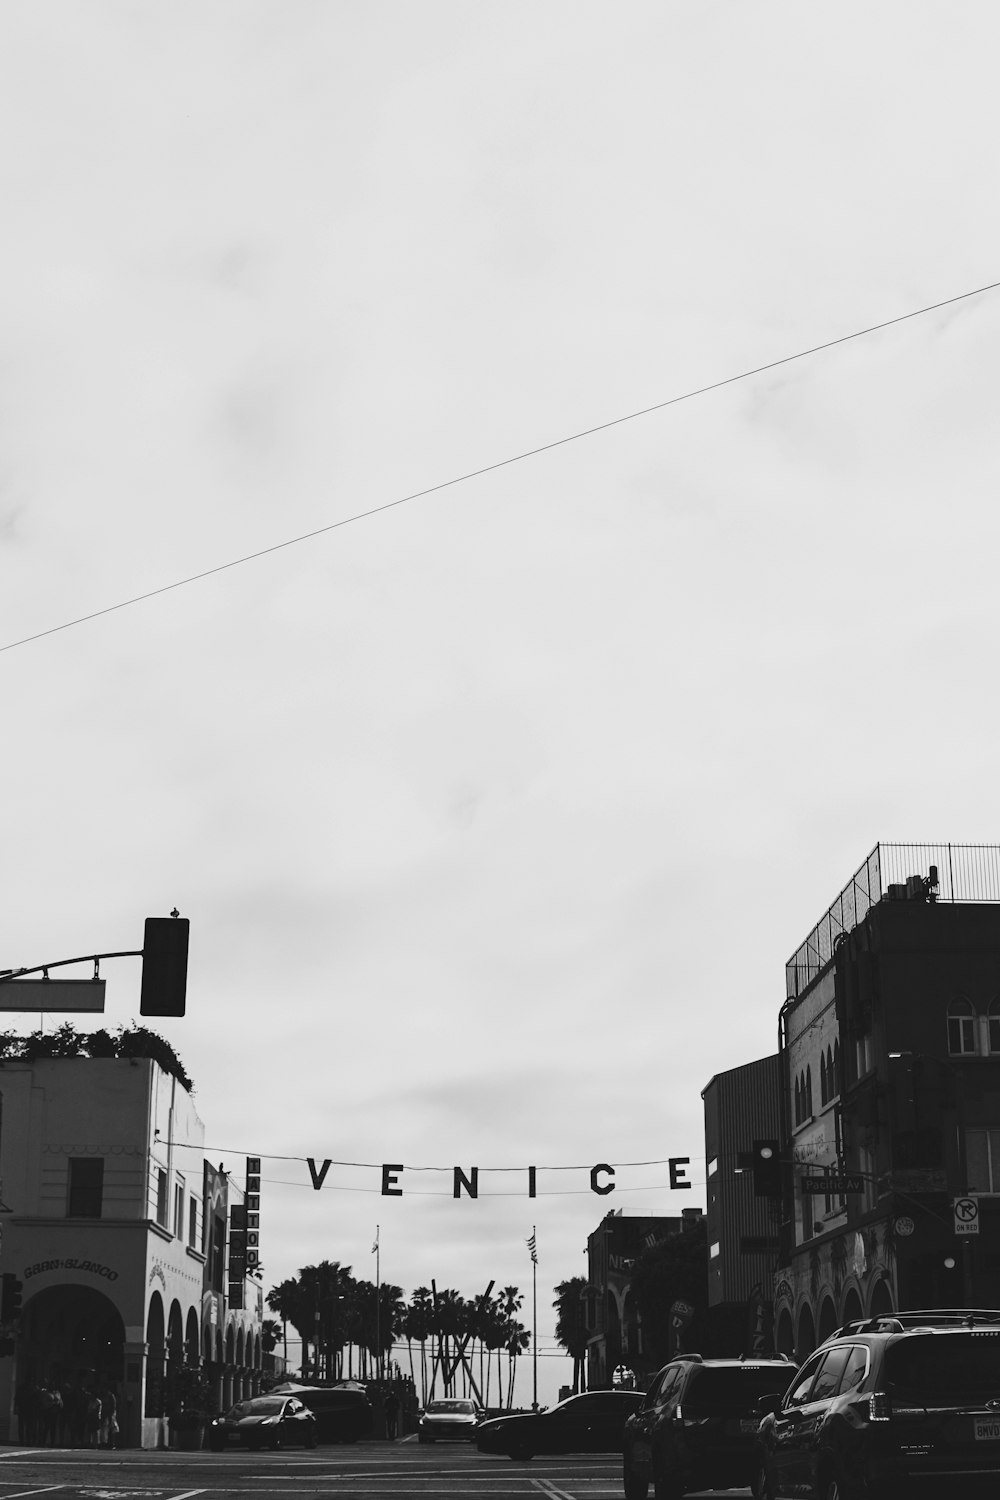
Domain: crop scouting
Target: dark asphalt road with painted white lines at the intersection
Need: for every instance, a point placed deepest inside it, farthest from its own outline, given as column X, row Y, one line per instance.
column 392, row 1471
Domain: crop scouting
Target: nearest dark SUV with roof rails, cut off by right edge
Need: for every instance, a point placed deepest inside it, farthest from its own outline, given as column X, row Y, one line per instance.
column 891, row 1406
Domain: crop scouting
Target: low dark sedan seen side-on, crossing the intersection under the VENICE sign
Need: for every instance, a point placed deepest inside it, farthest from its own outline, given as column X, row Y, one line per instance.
column 585, row 1424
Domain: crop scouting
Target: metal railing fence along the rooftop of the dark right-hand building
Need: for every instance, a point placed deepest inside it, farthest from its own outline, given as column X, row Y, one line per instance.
column 965, row 874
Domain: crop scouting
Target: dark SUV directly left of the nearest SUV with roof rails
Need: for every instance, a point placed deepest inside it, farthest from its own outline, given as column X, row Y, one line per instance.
column 698, row 1423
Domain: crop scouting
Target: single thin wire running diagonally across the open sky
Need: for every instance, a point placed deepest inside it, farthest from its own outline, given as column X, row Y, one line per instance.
column 500, row 464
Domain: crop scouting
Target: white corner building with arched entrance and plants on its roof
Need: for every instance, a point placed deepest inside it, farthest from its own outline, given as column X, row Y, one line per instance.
column 116, row 1228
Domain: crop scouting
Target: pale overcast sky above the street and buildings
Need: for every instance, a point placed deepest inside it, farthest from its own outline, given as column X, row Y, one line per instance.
column 497, row 814
